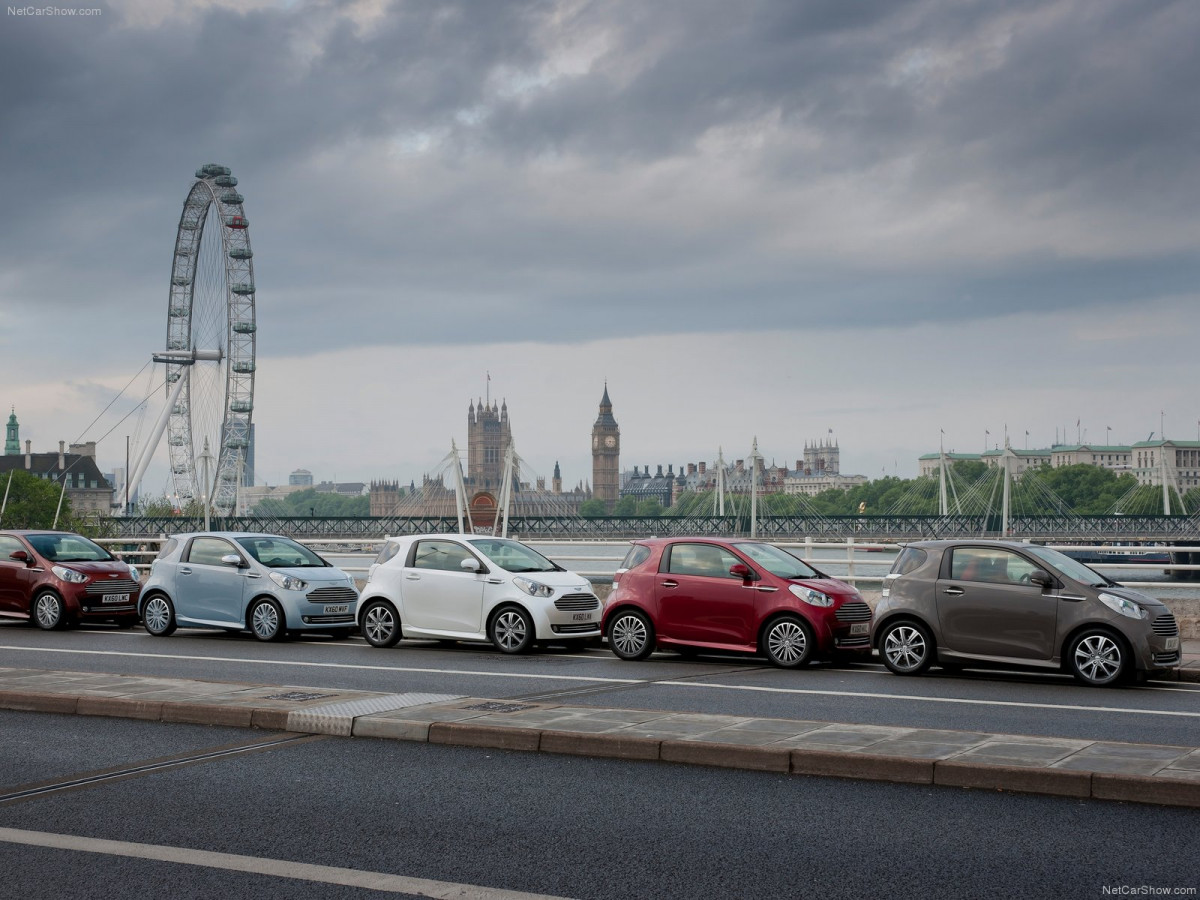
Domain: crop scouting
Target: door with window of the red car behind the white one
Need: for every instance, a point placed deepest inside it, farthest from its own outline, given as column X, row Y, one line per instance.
column 698, row 598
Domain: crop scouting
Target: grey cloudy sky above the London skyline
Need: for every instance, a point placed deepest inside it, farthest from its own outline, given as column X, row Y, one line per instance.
column 884, row 218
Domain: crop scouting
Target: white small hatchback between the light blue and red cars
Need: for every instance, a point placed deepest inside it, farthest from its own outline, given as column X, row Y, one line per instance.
column 470, row 587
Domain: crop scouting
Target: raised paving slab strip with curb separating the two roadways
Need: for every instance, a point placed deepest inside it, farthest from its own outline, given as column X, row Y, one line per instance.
column 1139, row 773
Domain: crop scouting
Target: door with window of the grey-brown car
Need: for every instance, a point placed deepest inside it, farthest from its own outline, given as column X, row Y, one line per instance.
column 988, row 607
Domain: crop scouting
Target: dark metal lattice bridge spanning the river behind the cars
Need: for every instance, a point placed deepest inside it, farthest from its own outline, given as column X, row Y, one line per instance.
column 1052, row 527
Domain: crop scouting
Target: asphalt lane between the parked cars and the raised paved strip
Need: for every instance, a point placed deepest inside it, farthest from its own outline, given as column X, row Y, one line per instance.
column 1005, row 703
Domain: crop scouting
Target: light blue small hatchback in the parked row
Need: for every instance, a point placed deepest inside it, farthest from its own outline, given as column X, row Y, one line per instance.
column 262, row 584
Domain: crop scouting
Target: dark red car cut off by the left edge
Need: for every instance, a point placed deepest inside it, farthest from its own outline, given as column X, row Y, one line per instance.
column 58, row 579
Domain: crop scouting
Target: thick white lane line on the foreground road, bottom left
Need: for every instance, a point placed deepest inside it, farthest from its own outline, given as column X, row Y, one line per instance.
column 262, row 866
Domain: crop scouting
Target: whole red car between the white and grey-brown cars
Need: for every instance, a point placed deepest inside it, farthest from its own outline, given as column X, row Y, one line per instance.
column 689, row 595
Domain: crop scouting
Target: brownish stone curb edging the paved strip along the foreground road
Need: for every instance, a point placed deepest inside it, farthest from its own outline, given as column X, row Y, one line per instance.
column 821, row 764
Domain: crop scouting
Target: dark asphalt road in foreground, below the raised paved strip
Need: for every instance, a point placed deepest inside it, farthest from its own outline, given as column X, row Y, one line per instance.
column 526, row 823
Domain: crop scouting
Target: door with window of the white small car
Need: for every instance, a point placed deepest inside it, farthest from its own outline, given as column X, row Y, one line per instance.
column 439, row 595
